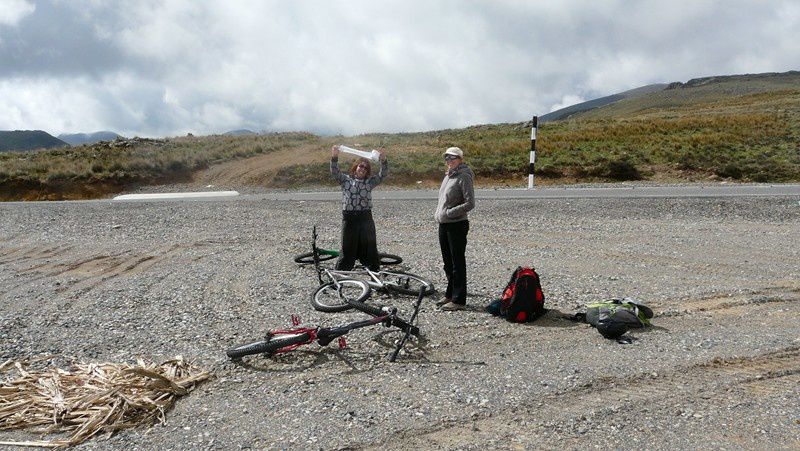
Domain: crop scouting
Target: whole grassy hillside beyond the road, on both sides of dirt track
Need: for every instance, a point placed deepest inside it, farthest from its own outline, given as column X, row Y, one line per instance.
column 744, row 128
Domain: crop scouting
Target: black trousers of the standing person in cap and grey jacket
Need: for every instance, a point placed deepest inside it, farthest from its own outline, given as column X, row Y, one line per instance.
column 453, row 242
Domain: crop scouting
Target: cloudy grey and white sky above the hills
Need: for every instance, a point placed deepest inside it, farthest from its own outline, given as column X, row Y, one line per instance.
column 169, row 67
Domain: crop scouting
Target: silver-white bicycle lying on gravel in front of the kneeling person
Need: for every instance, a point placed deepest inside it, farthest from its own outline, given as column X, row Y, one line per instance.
column 341, row 286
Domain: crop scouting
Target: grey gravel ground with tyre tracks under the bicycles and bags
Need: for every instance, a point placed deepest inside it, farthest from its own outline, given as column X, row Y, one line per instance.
column 107, row 281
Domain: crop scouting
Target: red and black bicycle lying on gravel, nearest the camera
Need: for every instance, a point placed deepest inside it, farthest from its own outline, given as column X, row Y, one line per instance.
column 286, row 340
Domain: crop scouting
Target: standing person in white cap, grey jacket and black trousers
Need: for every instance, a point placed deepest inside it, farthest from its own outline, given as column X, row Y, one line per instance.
column 456, row 198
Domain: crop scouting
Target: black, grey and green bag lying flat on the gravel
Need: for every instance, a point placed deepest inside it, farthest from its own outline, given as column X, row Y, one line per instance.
column 614, row 317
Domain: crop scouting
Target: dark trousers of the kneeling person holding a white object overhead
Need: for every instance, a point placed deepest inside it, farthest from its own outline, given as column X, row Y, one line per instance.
column 358, row 241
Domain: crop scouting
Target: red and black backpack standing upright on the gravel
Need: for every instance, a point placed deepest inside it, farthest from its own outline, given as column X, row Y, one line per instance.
column 522, row 300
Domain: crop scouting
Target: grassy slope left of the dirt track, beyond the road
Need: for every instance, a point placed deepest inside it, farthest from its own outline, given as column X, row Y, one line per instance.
column 90, row 171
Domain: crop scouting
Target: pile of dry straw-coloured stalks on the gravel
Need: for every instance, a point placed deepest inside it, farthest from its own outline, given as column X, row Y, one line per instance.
column 92, row 398
